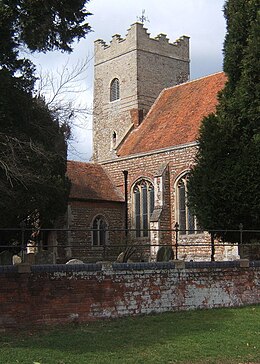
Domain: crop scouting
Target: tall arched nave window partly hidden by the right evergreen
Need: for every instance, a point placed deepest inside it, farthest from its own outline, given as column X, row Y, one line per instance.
column 186, row 220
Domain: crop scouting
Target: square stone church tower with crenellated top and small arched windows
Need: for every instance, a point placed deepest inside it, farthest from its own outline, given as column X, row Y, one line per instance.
column 129, row 74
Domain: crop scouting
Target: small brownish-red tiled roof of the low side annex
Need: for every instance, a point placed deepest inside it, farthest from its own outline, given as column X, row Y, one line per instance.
column 89, row 181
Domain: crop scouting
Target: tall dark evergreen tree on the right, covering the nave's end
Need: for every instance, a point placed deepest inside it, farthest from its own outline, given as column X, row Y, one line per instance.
column 224, row 184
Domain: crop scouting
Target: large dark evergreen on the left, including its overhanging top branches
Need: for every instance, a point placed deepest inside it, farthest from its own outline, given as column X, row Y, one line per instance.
column 33, row 147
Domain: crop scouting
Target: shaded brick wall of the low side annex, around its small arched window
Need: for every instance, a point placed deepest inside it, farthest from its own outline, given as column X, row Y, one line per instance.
column 75, row 242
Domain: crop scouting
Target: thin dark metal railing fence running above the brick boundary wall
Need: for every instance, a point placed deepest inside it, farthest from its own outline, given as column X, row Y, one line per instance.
column 21, row 240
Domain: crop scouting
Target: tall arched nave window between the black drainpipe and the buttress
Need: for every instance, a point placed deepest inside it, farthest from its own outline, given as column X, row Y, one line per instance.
column 143, row 201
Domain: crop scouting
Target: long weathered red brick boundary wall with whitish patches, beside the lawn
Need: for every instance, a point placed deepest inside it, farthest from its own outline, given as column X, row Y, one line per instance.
column 62, row 294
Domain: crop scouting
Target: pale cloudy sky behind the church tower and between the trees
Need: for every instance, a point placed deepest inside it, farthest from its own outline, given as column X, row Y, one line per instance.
column 201, row 20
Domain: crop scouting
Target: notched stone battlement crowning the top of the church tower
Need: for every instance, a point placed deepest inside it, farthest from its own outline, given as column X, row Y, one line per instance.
column 137, row 38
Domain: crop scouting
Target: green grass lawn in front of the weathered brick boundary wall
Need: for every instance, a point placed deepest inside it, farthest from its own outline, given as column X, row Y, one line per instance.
column 205, row 336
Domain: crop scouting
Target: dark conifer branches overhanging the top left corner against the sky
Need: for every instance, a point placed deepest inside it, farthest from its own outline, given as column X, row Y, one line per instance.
column 40, row 25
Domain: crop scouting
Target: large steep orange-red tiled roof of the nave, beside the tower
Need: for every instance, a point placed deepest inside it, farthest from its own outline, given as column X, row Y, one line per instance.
column 175, row 117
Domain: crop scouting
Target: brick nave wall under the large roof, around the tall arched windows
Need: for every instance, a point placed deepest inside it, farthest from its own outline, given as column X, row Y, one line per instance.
column 147, row 166
